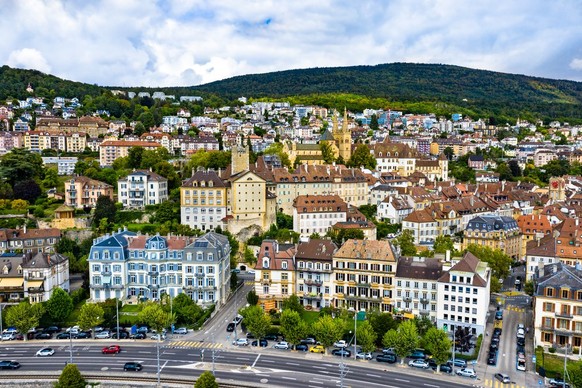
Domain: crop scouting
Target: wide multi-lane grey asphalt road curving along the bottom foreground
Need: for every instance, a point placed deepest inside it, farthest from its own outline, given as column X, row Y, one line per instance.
column 257, row 367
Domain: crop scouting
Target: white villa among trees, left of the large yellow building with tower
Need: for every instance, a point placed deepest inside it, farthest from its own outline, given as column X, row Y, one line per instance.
column 141, row 188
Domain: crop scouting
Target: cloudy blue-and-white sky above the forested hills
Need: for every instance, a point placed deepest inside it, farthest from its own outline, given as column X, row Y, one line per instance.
column 189, row 42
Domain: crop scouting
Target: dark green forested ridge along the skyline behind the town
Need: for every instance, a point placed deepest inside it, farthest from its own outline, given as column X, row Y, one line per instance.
column 420, row 88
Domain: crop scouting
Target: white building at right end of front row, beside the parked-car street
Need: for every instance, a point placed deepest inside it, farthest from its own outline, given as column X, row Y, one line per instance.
column 463, row 295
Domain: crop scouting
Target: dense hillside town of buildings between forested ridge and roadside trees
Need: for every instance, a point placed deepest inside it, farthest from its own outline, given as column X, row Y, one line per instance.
column 415, row 215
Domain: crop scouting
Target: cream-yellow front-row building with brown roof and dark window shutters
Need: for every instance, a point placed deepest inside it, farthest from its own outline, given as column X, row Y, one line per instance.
column 364, row 273
